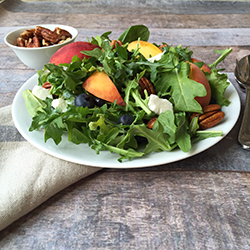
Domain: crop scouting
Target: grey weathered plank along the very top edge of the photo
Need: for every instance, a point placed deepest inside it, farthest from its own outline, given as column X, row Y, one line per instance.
column 130, row 7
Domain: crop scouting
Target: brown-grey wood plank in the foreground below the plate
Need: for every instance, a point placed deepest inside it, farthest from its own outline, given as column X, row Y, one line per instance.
column 141, row 210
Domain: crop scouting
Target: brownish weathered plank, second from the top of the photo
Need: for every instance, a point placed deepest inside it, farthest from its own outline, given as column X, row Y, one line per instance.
column 121, row 21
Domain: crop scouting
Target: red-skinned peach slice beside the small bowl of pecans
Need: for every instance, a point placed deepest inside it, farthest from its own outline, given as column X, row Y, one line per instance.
column 66, row 53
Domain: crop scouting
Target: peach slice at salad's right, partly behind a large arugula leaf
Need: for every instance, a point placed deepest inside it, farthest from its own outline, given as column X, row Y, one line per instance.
column 197, row 75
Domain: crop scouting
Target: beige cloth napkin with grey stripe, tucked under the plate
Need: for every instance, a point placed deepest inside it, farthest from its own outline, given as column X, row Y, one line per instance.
column 28, row 177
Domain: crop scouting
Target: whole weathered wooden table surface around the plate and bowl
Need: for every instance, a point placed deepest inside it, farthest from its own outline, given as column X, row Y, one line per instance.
column 202, row 202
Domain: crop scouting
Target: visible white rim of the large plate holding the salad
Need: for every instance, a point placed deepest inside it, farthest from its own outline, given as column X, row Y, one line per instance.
column 82, row 154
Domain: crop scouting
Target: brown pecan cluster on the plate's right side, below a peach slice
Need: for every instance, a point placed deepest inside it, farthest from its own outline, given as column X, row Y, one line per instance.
column 211, row 116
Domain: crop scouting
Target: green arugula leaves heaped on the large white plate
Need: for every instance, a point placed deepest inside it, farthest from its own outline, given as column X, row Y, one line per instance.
column 99, row 127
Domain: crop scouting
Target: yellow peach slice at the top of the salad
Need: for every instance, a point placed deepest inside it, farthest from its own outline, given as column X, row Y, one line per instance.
column 147, row 49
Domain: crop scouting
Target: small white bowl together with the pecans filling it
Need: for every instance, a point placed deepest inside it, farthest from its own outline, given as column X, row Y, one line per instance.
column 34, row 45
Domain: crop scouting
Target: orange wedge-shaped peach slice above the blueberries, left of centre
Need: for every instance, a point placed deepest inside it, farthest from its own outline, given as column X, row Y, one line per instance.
column 100, row 85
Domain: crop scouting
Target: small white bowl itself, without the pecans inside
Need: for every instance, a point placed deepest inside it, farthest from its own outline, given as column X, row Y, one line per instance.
column 35, row 58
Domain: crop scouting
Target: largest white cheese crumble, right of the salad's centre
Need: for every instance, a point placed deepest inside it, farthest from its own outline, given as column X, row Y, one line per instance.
column 159, row 105
